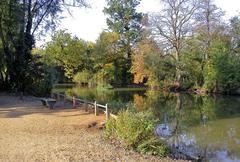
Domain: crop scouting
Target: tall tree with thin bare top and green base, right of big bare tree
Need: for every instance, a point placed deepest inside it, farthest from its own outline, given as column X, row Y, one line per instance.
column 197, row 51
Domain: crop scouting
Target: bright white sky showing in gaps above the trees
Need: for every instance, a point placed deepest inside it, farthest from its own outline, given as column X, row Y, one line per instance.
column 89, row 23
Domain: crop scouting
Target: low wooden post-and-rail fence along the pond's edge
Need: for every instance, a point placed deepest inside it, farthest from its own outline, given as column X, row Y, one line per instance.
column 94, row 104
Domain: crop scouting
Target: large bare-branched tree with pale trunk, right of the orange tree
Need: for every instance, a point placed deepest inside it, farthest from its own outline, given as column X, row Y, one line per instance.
column 171, row 27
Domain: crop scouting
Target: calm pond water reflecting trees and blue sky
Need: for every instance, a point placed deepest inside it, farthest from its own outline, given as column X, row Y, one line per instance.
column 197, row 125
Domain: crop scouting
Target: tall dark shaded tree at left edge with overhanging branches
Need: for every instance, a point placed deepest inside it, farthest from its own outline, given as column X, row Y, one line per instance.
column 19, row 23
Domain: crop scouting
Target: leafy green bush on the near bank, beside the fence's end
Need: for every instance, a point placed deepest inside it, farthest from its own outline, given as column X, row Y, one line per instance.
column 136, row 130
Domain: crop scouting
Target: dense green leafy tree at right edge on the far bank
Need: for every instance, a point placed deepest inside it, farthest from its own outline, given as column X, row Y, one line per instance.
column 222, row 71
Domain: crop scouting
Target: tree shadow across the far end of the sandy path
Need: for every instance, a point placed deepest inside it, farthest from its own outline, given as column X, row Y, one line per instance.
column 14, row 107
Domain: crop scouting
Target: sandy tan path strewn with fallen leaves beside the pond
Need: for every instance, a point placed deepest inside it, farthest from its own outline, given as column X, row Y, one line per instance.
column 31, row 132
